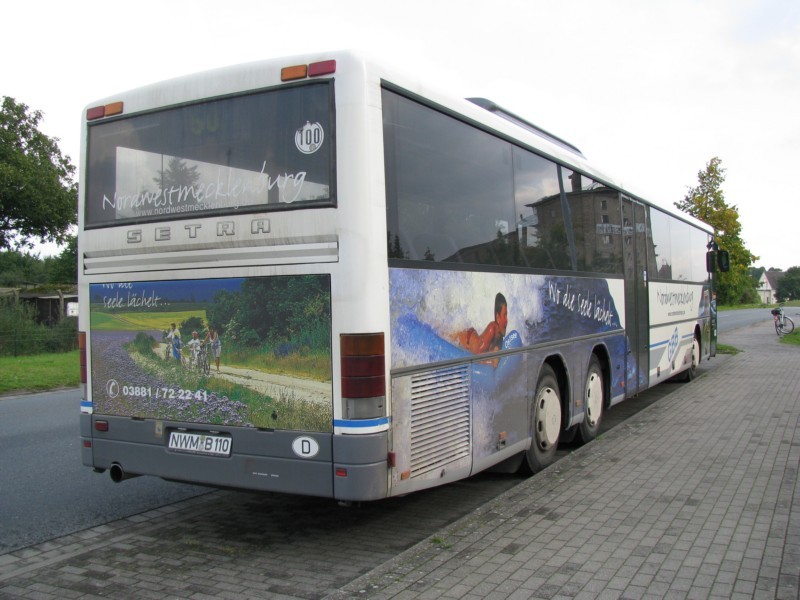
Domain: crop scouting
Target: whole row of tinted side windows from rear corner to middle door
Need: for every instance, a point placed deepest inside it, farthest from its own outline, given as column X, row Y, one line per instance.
column 456, row 193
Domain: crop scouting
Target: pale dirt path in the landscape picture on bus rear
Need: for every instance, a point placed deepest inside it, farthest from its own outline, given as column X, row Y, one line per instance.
column 272, row 384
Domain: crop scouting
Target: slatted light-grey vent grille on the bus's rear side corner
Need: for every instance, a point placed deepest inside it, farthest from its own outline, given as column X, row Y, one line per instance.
column 440, row 419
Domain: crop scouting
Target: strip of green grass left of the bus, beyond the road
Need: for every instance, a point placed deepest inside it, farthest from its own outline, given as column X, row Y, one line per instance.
column 39, row 372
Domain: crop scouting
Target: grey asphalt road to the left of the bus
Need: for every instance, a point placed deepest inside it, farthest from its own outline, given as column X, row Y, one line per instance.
column 45, row 491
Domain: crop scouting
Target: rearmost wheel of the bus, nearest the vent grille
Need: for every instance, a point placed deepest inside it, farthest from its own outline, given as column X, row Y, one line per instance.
column 545, row 421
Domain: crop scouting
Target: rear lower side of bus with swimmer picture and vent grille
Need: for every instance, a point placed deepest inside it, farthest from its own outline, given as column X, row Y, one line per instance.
column 470, row 407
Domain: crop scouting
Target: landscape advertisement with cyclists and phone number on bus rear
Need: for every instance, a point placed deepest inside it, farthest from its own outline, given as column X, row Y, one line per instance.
column 239, row 351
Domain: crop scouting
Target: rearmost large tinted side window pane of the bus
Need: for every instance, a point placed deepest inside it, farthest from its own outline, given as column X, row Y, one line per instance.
column 449, row 187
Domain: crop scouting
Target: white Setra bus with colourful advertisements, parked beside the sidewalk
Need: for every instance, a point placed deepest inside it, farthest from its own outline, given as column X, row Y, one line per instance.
column 317, row 276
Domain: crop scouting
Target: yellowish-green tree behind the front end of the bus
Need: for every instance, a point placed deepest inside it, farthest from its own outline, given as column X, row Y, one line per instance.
column 707, row 203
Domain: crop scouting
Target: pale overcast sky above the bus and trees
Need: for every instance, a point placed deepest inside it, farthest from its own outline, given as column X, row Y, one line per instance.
column 649, row 90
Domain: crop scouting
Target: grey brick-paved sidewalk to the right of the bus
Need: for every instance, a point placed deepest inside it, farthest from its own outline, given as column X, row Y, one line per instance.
column 695, row 497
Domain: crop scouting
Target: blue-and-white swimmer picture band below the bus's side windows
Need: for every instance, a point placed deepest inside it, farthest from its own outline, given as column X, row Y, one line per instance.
column 443, row 315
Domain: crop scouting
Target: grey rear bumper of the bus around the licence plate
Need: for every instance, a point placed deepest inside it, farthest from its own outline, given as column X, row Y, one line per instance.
column 344, row 467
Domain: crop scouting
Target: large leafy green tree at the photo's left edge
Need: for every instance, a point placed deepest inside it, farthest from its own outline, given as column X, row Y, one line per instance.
column 38, row 197
